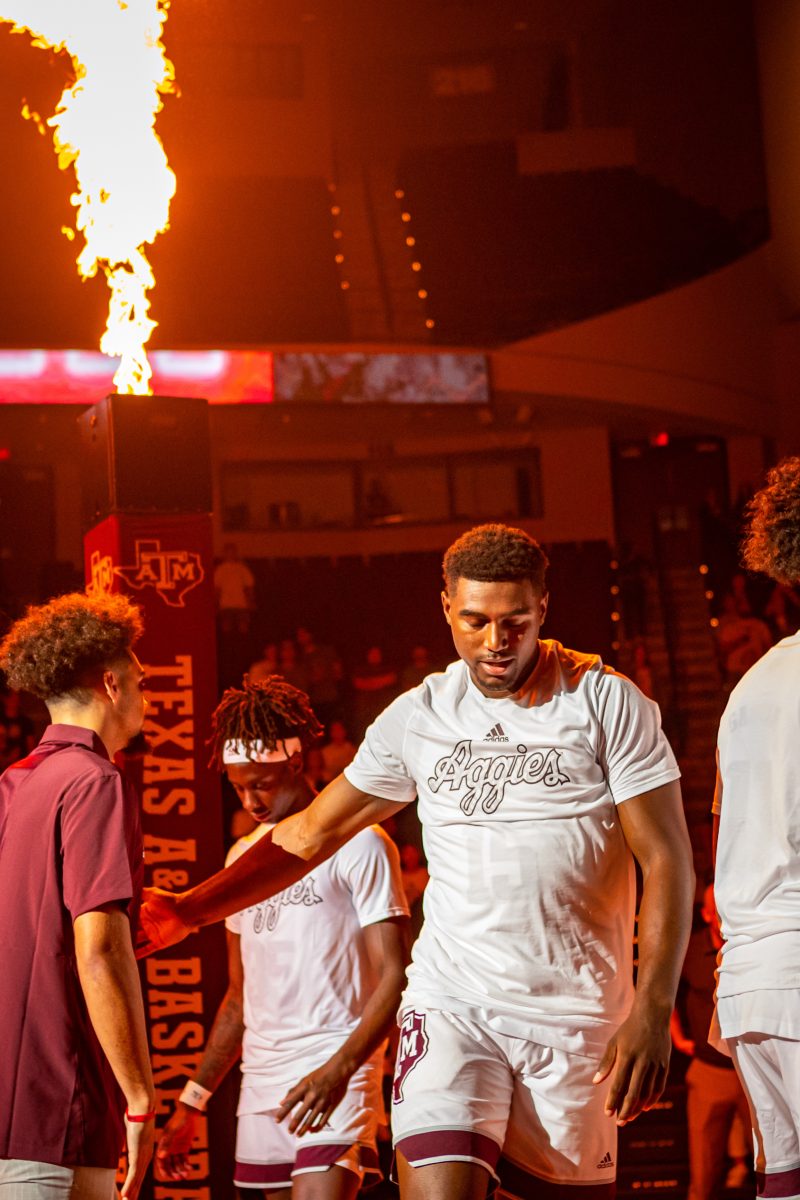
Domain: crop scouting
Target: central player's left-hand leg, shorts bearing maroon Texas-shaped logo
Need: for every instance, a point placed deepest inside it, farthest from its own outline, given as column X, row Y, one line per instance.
column 450, row 1106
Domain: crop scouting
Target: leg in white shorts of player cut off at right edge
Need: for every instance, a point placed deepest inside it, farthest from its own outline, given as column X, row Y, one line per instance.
column 769, row 1071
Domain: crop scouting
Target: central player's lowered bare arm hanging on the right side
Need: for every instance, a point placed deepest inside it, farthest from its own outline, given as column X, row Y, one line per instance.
column 637, row 1058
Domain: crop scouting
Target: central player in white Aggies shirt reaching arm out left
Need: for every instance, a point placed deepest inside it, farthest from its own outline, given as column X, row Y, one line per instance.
column 538, row 773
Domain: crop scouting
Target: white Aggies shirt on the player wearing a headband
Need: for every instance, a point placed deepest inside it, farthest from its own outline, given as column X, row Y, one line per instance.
column 308, row 976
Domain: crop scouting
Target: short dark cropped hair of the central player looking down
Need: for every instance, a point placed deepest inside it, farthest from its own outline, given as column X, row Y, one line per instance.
column 494, row 554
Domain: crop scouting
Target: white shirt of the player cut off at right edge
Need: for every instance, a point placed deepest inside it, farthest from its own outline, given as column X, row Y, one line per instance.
column 757, row 887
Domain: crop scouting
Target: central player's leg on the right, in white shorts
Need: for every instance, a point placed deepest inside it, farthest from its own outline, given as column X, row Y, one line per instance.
column 560, row 1144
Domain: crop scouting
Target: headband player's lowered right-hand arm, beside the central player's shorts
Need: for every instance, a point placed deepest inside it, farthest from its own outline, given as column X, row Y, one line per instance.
column 315, row 1097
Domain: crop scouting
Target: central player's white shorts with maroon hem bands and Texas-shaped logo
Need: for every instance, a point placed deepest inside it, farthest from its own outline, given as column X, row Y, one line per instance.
column 467, row 1094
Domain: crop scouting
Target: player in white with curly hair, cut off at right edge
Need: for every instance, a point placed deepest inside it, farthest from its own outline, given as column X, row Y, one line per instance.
column 757, row 851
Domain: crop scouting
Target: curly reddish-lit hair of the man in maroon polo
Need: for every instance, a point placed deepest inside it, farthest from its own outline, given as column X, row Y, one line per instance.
column 56, row 647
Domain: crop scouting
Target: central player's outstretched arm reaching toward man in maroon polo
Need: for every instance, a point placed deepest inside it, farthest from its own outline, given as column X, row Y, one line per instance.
column 282, row 857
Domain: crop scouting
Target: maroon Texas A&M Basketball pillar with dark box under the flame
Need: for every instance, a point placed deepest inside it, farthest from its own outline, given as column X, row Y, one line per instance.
column 148, row 491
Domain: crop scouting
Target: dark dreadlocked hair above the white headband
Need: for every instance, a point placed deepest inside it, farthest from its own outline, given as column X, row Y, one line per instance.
column 263, row 713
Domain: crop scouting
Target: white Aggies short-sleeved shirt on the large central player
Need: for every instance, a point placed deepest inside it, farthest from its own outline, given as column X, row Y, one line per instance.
column 530, row 911
